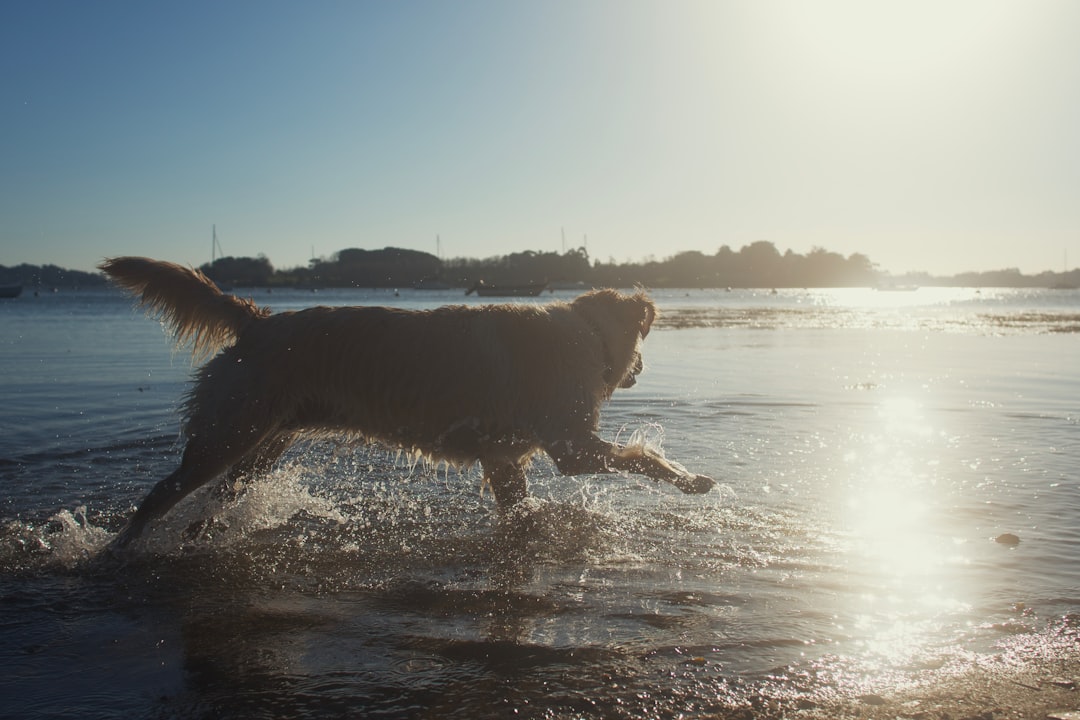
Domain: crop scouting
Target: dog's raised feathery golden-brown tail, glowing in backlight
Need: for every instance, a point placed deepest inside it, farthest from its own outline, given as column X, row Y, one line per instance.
column 188, row 303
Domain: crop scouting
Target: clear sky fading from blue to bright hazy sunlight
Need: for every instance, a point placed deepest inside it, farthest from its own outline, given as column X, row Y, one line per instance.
column 928, row 134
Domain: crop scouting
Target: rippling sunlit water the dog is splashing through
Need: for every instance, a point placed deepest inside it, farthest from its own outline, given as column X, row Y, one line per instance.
column 870, row 449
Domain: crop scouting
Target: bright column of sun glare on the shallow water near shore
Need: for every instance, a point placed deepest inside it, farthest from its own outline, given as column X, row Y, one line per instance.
column 899, row 563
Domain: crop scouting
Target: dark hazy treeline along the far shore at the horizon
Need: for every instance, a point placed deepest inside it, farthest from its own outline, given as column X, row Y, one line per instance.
column 758, row 265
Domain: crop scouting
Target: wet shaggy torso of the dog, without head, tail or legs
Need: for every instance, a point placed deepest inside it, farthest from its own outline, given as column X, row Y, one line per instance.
column 456, row 384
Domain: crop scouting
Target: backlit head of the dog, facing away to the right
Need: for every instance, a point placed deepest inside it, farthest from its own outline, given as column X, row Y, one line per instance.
column 623, row 322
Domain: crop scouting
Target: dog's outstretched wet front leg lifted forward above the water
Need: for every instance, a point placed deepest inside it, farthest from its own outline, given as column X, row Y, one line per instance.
column 592, row 455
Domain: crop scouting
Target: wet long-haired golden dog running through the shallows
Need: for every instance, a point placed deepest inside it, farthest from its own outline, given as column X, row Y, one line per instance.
column 493, row 385
